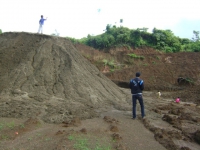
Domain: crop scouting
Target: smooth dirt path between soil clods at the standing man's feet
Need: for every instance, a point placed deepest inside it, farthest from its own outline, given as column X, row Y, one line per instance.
column 133, row 132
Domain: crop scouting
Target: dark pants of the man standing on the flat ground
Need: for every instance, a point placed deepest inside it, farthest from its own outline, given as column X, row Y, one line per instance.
column 140, row 99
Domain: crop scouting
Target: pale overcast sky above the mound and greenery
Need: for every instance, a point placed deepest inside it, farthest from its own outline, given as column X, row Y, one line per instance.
column 78, row 18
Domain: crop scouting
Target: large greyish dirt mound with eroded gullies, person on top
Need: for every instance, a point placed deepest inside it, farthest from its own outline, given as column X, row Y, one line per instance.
column 46, row 76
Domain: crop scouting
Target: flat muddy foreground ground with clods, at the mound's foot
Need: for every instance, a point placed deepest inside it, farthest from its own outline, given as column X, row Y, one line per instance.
column 167, row 126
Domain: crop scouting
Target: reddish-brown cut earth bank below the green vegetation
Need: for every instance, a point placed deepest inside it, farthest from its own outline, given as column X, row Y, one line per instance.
column 160, row 71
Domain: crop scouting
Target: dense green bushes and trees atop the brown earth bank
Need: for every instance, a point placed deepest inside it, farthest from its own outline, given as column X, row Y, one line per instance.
column 163, row 40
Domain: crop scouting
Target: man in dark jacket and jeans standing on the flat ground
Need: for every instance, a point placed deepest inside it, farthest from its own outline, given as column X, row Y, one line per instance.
column 137, row 86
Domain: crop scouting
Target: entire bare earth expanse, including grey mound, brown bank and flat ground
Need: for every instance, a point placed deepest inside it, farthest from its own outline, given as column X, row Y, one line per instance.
column 52, row 98
